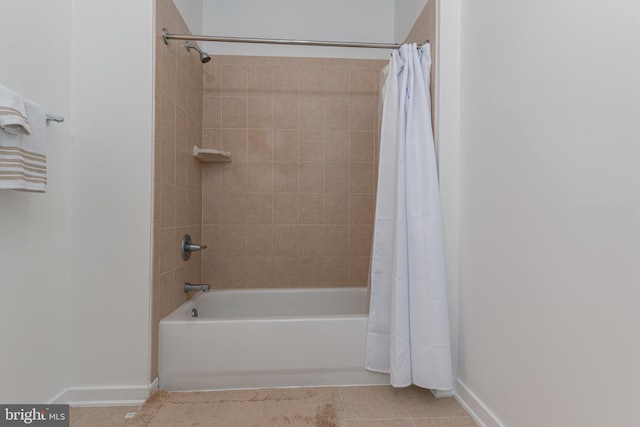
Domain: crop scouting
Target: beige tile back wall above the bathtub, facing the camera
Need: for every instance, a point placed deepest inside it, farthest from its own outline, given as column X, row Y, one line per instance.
column 295, row 206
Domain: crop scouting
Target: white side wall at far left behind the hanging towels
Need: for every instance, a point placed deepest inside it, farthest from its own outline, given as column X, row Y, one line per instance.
column 35, row 228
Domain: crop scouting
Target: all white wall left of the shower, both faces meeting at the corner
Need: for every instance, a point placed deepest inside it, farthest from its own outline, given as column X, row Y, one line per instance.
column 75, row 262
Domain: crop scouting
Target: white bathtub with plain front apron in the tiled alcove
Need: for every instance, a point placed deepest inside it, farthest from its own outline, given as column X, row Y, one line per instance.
column 266, row 338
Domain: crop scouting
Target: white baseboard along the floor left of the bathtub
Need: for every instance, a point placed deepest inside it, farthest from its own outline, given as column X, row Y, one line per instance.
column 106, row 396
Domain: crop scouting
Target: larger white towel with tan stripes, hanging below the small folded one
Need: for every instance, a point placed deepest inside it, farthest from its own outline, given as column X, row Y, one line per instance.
column 23, row 161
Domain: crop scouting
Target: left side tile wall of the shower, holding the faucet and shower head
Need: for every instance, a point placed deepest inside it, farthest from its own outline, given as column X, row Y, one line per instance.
column 177, row 175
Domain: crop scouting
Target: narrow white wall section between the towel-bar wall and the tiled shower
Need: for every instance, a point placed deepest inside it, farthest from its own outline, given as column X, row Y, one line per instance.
column 112, row 125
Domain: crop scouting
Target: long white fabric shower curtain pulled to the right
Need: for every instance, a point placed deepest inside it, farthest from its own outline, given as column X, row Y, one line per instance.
column 408, row 328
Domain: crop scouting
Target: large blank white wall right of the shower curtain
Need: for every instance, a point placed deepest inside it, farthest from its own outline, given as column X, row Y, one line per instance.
column 550, row 211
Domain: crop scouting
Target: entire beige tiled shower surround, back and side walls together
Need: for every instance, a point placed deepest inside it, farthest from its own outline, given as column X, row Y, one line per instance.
column 295, row 206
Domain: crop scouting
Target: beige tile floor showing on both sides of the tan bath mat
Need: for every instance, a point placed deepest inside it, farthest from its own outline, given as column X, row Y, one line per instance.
column 366, row 406
